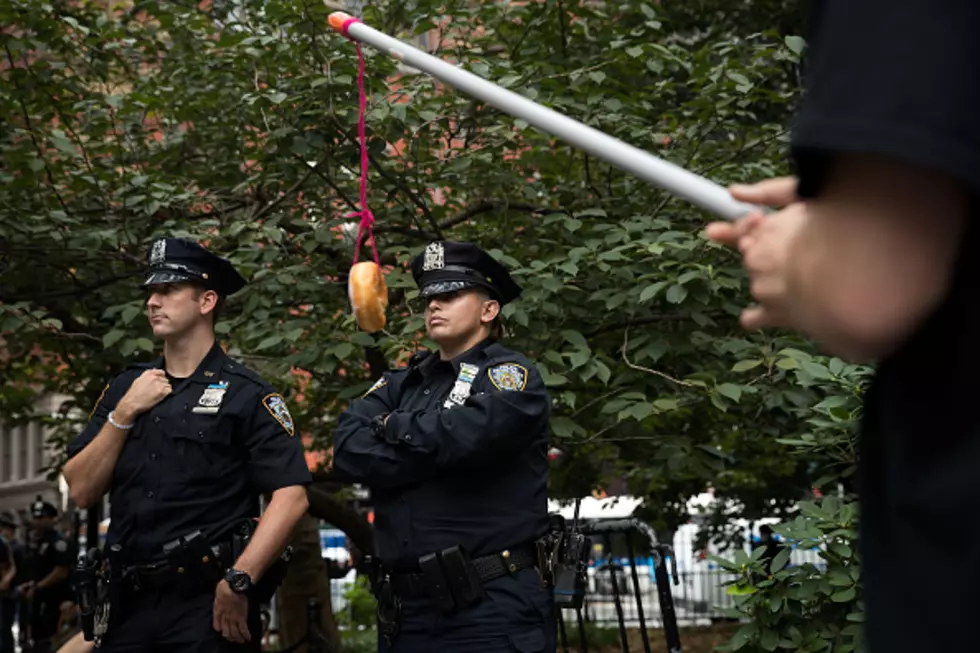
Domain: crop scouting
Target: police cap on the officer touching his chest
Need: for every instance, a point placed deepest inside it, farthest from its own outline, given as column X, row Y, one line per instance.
column 172, row 260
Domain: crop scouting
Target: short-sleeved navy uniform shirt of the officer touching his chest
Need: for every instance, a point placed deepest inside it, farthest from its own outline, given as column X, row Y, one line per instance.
column 200, row 458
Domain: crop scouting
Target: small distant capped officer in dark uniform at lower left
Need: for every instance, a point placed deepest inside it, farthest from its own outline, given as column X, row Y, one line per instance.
column 46, row 584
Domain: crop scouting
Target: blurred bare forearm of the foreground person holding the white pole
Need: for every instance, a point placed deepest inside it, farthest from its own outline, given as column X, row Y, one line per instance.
column 876, row 257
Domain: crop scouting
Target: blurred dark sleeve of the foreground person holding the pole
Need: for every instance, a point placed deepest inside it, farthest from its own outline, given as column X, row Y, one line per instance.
column 893, row 78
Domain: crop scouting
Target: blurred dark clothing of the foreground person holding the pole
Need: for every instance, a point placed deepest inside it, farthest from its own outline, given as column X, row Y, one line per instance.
column 896, row 78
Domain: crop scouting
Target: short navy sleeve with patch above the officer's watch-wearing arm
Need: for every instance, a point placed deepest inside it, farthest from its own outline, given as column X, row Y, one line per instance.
column 275, row 452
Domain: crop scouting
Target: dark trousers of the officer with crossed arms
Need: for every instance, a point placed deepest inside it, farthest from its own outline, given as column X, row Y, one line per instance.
column 516, row 615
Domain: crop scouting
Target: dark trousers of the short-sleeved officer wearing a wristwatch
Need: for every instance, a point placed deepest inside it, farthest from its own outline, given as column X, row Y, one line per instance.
column 168, row 621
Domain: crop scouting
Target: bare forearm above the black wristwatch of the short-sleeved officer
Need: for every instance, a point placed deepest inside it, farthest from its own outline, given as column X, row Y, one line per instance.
column 287, row 507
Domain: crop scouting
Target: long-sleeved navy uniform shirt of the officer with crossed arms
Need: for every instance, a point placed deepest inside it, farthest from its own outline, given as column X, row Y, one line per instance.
column 463, row 459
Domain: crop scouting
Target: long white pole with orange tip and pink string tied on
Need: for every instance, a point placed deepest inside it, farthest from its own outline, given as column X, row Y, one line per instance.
column 696, row 189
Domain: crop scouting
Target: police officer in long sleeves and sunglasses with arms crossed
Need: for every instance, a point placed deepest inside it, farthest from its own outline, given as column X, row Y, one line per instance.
column 454, row 449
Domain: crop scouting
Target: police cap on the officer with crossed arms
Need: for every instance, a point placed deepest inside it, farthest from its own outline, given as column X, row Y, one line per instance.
column 447, row 266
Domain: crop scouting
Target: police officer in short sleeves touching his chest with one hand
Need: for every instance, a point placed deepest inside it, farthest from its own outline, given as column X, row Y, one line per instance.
column 185, row 445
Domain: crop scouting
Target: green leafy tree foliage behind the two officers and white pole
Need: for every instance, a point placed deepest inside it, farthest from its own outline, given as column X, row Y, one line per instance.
column 235, row 123
